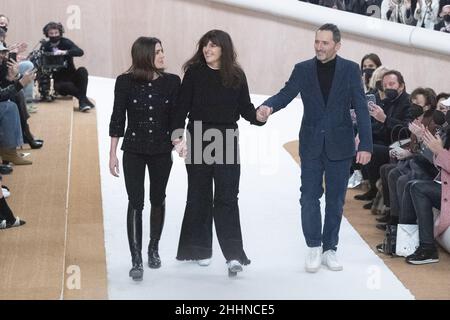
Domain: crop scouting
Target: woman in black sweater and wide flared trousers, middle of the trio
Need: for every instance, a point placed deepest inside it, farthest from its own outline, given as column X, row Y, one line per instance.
column 214, row 94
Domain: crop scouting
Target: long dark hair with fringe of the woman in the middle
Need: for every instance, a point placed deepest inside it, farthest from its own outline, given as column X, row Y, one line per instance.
column 230, row 71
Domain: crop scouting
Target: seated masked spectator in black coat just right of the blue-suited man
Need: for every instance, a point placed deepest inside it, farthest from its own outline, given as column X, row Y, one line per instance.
column 389, row 120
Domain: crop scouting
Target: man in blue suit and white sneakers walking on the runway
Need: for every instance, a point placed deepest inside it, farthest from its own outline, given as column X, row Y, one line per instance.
column 329, row 86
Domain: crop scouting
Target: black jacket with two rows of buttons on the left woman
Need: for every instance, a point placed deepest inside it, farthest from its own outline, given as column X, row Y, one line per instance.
column 149, row 107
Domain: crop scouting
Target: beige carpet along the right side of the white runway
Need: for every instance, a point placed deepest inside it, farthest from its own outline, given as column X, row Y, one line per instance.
column 431, row 282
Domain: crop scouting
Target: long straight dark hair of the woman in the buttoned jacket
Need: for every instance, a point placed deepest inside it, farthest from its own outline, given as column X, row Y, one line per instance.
column 143, row 59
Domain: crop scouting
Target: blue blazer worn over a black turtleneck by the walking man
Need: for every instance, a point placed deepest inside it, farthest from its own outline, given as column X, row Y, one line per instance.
column 328, row 127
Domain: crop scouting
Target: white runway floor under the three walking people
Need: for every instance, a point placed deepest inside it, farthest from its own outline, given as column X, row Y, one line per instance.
column 270, row 218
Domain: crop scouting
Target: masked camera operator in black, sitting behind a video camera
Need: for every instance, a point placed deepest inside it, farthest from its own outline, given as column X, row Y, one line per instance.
column 69, row 81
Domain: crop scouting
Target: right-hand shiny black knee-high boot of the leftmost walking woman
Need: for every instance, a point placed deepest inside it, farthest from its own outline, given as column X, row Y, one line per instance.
column 157, row 215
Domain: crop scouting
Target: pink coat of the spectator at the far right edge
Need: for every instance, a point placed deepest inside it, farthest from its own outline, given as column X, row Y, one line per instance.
column 443, row 221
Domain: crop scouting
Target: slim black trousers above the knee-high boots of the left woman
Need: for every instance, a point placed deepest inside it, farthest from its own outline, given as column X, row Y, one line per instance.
column 159, row 167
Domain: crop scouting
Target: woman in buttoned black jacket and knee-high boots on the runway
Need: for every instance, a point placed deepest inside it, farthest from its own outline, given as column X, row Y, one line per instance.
column 145, row 94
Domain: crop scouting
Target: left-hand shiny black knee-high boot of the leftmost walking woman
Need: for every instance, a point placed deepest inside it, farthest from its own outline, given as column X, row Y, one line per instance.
column 134, row 228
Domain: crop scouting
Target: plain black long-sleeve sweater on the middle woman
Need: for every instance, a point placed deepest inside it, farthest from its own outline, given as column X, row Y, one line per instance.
column 203, row 97
